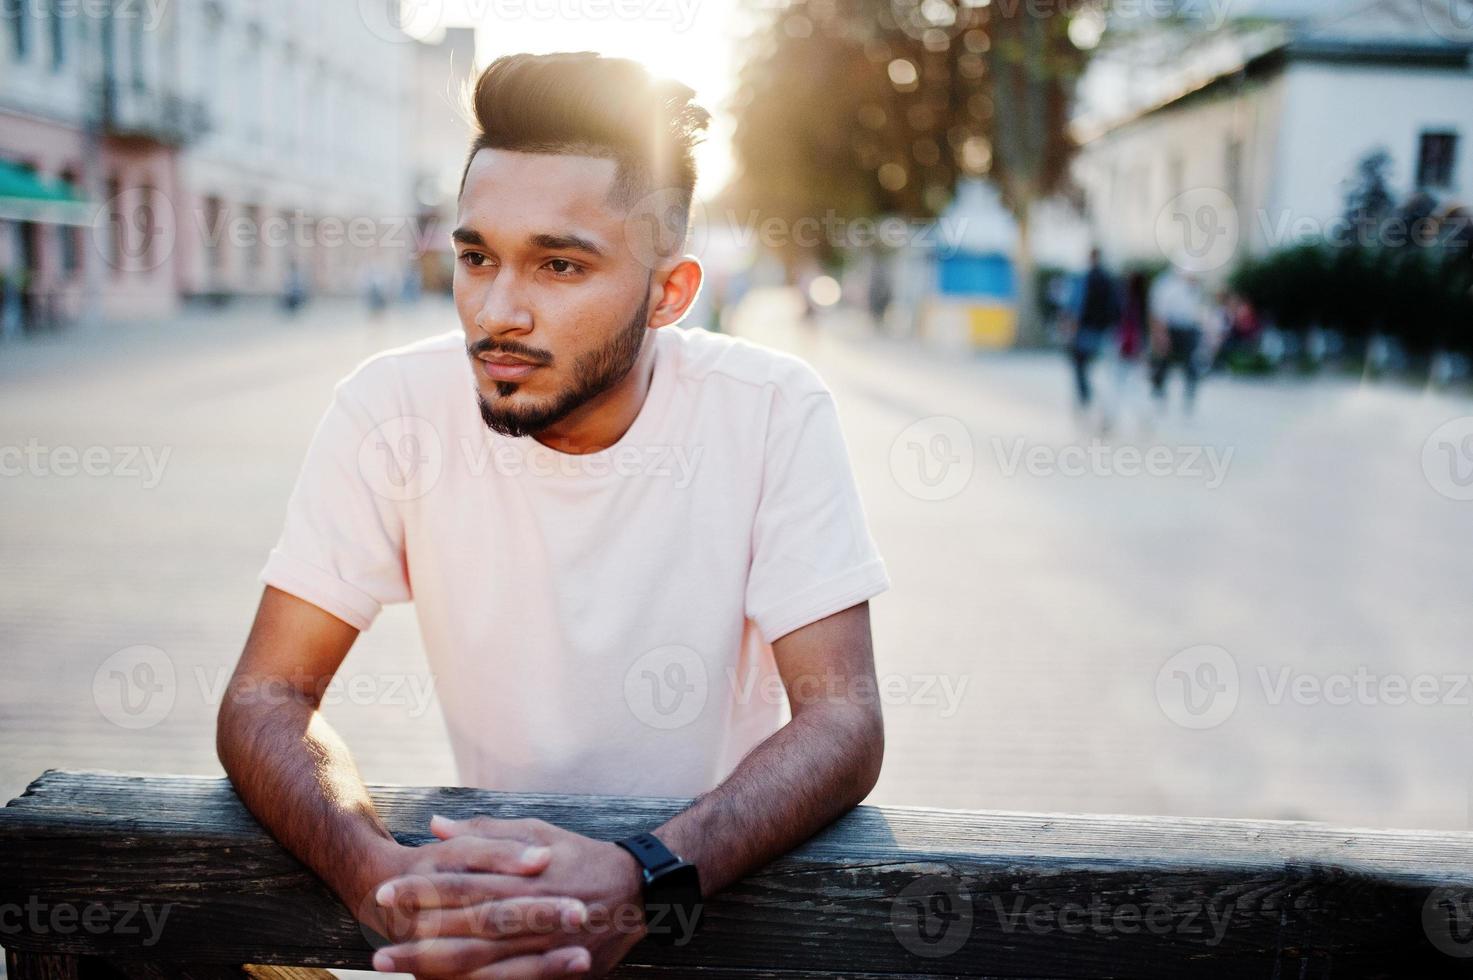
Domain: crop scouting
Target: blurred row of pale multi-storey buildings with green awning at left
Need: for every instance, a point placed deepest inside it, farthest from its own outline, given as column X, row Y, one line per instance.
column 222, row 147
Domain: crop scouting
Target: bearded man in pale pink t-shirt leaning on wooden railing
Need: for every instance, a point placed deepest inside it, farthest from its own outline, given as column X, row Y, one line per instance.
column 619, row 537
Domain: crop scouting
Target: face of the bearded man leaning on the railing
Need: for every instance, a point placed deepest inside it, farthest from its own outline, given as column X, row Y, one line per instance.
column 553, row 301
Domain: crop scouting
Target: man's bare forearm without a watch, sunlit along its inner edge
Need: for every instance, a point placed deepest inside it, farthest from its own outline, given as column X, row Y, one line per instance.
column 295, row 774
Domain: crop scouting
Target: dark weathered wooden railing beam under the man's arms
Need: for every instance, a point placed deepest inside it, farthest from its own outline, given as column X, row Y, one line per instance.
column 148, row 878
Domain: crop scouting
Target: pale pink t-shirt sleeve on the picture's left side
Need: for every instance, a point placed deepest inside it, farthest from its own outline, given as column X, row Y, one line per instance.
column 342, row 546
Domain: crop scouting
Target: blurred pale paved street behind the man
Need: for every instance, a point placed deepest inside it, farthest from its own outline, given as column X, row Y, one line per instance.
column 1285, row 550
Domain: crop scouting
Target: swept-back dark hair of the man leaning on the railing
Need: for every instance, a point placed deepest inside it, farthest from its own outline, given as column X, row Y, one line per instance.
column 588, row 105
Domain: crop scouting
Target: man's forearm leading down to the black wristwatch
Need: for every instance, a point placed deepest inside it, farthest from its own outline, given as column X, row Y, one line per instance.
column 809, row 773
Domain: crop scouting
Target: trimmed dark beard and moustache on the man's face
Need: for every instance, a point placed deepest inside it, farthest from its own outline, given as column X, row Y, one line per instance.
column 594, row 372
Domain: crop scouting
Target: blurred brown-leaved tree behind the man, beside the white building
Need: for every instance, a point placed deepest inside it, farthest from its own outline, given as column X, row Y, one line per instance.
column 880, row 107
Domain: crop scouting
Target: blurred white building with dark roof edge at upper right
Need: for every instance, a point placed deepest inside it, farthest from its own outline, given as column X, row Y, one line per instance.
column 1257, row 133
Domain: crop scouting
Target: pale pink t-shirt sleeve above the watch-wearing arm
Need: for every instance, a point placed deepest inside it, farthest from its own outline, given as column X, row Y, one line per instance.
column 812, row 550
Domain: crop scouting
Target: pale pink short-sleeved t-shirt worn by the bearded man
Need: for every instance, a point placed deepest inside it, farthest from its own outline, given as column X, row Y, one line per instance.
column 602, row 623
